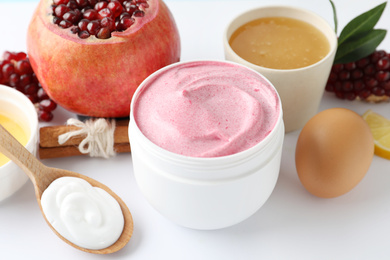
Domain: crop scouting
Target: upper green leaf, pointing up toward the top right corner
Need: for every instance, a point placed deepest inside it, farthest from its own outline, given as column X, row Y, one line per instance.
column 361, row 24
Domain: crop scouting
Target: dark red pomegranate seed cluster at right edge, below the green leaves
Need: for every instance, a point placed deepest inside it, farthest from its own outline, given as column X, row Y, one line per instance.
column 366, row 79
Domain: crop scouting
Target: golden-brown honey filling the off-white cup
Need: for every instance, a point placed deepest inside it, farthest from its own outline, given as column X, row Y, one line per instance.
column 279, row 43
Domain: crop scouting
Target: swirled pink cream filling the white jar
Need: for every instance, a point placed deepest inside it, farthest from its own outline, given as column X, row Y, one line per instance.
column 206, row 108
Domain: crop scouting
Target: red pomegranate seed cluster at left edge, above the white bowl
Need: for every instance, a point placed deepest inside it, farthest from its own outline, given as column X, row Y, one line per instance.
column 16, row 72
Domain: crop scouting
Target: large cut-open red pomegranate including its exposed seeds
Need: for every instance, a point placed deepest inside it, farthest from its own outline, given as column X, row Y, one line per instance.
column 91, row 55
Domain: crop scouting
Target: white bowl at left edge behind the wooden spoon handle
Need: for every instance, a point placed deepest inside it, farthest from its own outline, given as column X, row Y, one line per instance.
column 15, row 105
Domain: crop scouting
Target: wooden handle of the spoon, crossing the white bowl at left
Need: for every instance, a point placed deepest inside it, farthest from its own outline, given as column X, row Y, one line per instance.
column 16, row 152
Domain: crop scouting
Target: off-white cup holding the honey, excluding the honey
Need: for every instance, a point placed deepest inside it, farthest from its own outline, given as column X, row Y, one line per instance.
column 300, row 89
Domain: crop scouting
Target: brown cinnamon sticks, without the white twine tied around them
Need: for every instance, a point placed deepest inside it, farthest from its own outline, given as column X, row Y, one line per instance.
column 50, row 148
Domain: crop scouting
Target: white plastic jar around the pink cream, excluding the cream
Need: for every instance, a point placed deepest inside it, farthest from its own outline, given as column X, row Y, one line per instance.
column 206, row 193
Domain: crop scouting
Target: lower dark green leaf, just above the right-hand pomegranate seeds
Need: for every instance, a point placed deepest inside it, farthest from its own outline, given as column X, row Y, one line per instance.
column 360, row 46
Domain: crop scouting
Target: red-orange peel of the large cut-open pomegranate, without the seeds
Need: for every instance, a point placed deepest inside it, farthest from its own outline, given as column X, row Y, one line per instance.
column 97, row 77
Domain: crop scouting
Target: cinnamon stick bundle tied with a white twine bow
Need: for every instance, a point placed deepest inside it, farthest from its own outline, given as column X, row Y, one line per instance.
column 94, row 137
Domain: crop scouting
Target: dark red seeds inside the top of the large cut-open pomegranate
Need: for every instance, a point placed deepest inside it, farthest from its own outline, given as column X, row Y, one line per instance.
column 68, row 13
